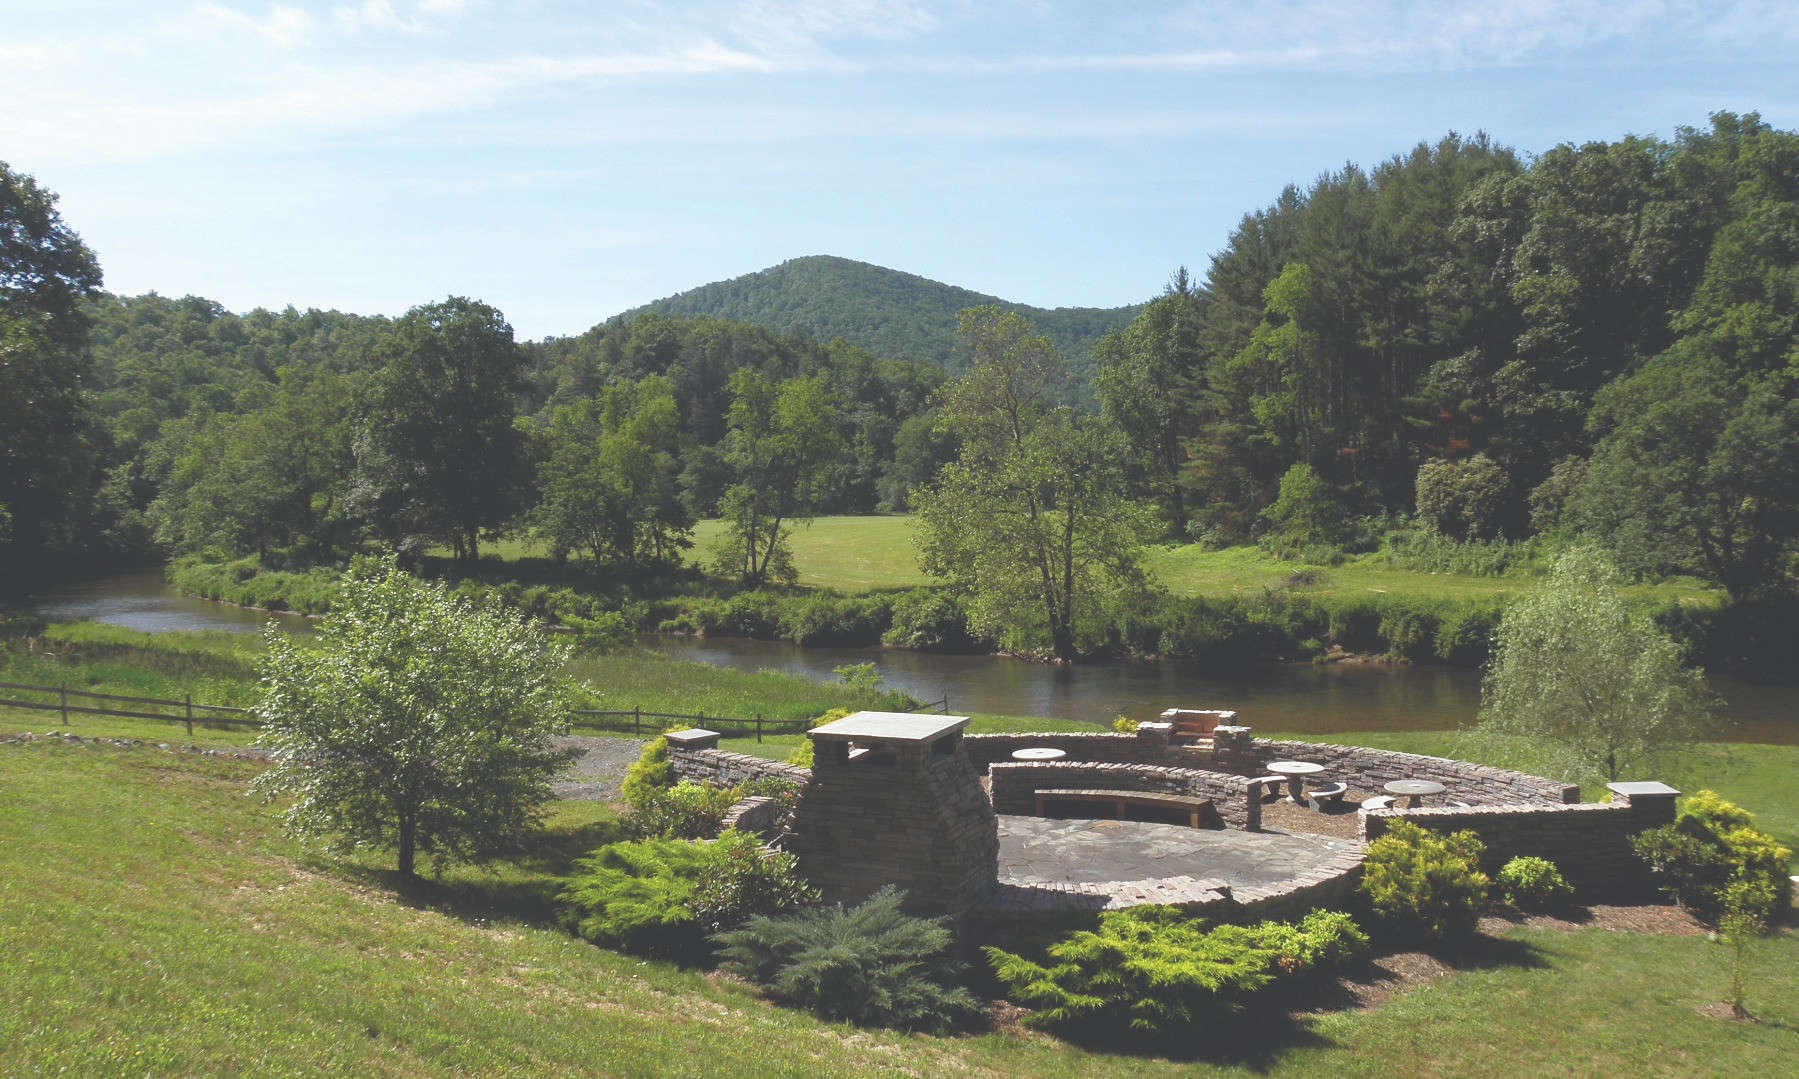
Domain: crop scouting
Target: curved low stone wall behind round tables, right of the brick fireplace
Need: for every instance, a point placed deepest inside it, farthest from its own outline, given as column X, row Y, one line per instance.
column 1366, row 769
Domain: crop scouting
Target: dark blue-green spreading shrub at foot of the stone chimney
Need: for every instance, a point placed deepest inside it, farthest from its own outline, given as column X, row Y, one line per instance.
column 868, row 965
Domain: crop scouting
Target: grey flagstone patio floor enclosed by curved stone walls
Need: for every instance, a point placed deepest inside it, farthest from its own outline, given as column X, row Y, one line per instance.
column 1093, row 855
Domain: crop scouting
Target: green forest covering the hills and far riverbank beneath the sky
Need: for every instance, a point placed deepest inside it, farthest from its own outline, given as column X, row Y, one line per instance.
column 1467, row 355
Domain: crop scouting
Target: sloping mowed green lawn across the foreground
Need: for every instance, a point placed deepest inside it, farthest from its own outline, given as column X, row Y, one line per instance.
column 154, row 922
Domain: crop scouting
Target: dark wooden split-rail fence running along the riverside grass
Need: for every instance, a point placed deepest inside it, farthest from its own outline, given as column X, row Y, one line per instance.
column 188, row 713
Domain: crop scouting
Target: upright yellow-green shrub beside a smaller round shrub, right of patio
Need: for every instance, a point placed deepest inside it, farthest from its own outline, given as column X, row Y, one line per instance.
column 1424, row 880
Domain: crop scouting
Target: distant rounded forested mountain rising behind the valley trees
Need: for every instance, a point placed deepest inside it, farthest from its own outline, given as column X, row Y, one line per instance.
column 886, row 312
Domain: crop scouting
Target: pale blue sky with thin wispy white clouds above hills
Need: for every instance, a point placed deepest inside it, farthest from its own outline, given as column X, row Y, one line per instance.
column 571, row 161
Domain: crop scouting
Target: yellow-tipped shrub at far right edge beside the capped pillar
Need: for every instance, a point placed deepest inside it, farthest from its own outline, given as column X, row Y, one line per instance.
column 1710, row 848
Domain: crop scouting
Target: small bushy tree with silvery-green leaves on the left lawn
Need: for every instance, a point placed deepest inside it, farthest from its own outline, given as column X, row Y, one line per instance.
column 416, row 722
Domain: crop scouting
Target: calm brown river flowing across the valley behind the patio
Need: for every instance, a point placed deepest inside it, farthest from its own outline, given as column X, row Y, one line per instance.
column 1273, row 697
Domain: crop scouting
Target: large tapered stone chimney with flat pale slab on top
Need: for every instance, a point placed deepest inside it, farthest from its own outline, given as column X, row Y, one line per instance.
column 897, row 801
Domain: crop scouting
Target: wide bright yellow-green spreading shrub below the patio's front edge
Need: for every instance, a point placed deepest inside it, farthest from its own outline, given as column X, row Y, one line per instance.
column 1152, row 970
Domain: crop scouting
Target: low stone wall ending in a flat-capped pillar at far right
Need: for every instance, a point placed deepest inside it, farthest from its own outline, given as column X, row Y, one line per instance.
column 1589, row 843
